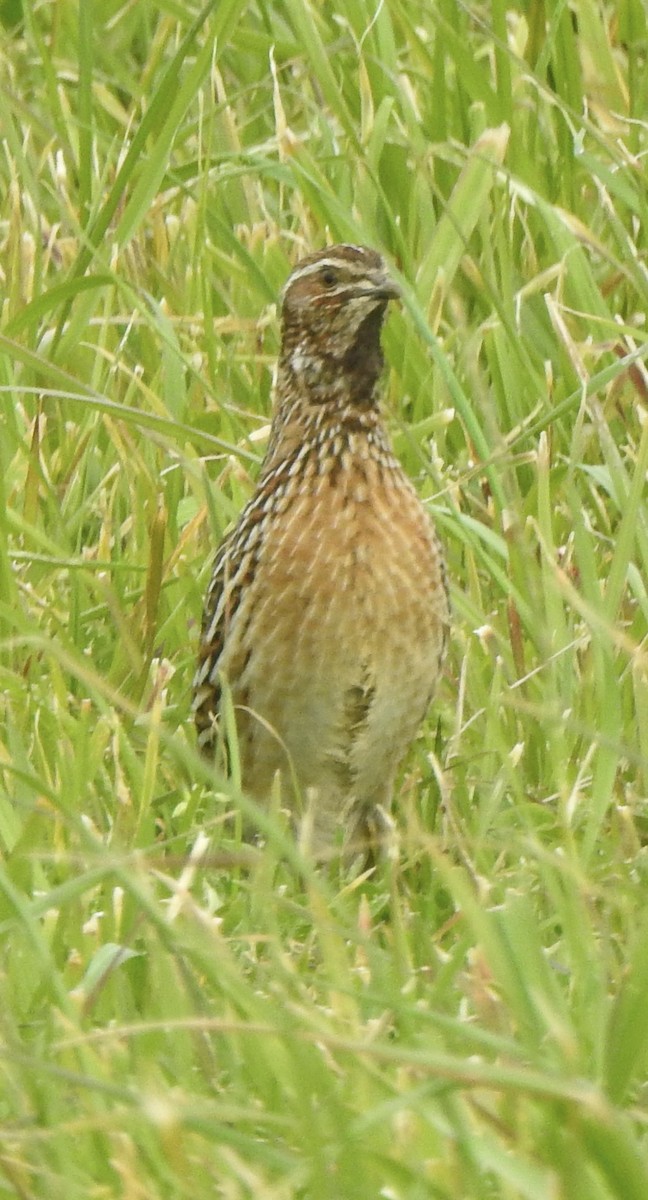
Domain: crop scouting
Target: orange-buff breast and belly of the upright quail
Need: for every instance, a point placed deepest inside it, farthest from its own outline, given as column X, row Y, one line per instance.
column 349, row 634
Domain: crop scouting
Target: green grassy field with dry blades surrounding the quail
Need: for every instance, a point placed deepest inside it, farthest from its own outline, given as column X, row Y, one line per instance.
column 177, row 1018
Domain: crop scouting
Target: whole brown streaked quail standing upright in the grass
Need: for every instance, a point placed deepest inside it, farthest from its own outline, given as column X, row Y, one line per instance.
column 327, row 611
